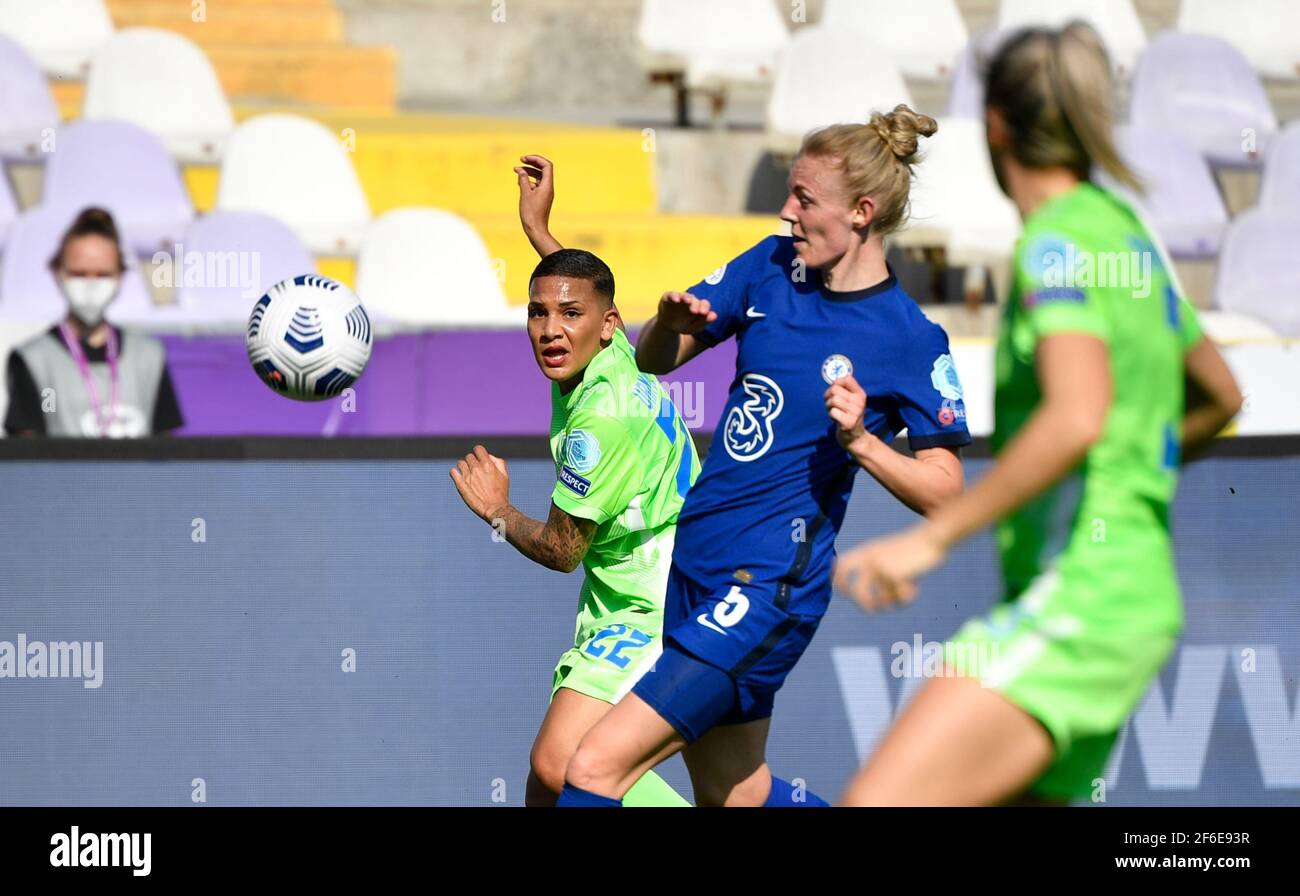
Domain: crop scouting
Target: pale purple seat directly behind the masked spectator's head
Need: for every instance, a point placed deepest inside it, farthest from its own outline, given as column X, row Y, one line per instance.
column 28, row 288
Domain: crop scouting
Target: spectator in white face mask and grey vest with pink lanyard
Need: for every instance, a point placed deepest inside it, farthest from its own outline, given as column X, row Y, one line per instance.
column 85, row 376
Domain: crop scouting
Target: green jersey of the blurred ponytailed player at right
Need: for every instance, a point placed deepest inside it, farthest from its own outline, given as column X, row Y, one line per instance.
column 1086, row 263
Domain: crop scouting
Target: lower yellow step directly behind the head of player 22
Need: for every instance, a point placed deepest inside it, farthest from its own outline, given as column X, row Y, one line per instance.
column 649, row 254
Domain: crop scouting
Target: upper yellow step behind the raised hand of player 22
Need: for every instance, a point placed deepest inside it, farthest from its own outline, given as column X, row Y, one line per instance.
column 463, row 165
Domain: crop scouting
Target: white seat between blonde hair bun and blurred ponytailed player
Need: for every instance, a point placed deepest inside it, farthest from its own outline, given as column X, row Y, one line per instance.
column 956, row 202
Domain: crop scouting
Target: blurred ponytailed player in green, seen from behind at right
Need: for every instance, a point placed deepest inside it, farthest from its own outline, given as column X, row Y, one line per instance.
column 1090, row 430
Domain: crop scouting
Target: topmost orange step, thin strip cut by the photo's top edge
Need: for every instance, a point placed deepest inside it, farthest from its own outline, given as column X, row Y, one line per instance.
column 271, row 23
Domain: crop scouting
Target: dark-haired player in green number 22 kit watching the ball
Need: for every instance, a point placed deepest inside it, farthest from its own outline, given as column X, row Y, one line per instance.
column 623, row 464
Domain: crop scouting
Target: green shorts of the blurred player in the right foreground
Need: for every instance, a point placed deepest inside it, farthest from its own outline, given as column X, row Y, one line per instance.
column 1078, row 672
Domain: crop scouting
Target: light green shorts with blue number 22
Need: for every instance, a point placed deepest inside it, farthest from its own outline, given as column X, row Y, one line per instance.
column 610, row 657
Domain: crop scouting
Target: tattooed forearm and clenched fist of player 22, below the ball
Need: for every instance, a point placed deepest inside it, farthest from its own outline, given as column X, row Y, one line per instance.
column 561, row 543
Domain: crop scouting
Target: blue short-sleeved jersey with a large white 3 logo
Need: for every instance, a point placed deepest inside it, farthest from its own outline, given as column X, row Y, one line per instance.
column 774, row 490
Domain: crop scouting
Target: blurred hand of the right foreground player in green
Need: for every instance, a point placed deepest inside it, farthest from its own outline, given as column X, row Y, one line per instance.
column 883, row 573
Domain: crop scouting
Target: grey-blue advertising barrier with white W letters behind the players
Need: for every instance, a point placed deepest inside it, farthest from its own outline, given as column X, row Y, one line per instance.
column 323, row 622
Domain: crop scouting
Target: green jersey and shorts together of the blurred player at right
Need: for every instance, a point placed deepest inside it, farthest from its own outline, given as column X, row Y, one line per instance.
column 1093, row 608
